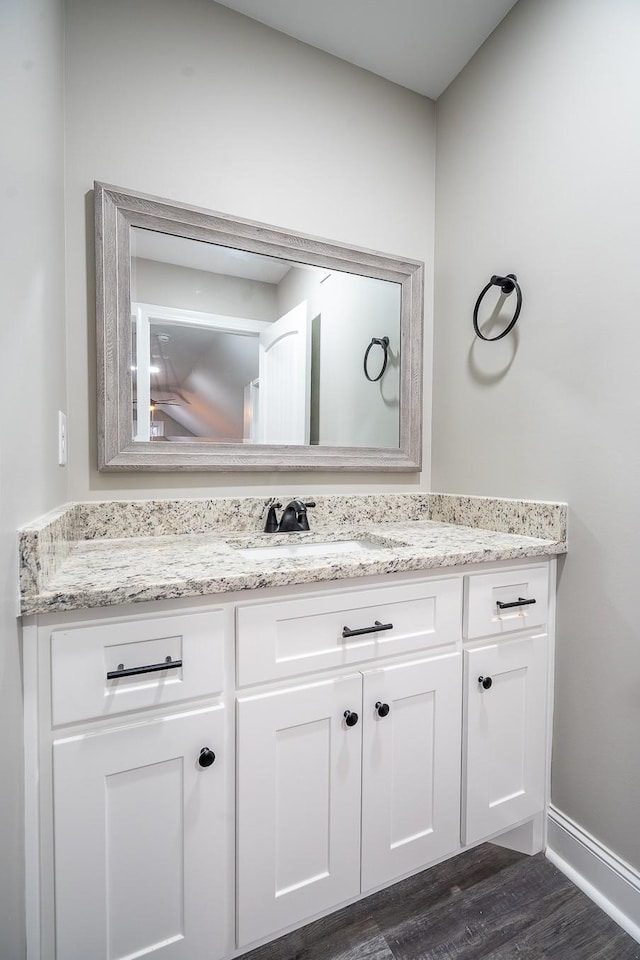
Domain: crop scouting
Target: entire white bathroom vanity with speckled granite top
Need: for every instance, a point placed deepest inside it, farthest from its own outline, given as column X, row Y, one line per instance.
column 212, row 769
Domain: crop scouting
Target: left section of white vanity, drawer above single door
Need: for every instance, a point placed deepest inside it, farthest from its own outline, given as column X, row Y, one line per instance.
column 133, row 783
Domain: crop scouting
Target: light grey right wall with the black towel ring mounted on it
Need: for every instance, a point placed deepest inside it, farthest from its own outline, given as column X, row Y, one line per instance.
column 537, row 173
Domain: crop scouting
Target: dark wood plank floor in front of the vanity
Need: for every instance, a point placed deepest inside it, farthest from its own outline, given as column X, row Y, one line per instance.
column 487, row 904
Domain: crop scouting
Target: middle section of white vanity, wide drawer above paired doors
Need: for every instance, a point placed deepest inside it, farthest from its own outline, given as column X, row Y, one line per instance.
column 371, row 753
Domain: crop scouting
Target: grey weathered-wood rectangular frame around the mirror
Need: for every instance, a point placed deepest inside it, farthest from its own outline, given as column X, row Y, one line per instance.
column 116, row 211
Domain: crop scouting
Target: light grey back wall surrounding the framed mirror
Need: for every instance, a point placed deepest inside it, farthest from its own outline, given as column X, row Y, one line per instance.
column 196, row 103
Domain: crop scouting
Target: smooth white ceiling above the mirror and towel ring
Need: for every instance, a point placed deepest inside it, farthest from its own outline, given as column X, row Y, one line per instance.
column 419, row 44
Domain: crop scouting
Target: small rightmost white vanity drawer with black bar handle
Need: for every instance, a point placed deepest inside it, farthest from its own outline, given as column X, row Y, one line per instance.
column 493, row 601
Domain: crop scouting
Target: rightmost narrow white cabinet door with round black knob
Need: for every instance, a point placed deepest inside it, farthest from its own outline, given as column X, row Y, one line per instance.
column 506, row 719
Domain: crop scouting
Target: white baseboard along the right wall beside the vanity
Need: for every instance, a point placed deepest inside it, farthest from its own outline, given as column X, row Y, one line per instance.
column 597, row 871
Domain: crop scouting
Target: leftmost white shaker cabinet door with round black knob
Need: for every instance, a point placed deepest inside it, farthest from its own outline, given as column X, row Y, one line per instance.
column 139, row 841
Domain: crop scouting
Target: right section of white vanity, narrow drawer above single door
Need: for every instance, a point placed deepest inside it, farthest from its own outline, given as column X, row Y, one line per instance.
column 506, row 705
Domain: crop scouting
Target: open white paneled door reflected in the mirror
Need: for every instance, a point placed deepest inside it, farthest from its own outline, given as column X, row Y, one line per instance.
column 285, row 379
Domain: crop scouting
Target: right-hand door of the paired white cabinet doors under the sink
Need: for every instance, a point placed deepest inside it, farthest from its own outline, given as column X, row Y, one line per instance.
column 411, row 766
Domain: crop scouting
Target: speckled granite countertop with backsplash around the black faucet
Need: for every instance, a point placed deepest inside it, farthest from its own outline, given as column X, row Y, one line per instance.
column 95, row 555
